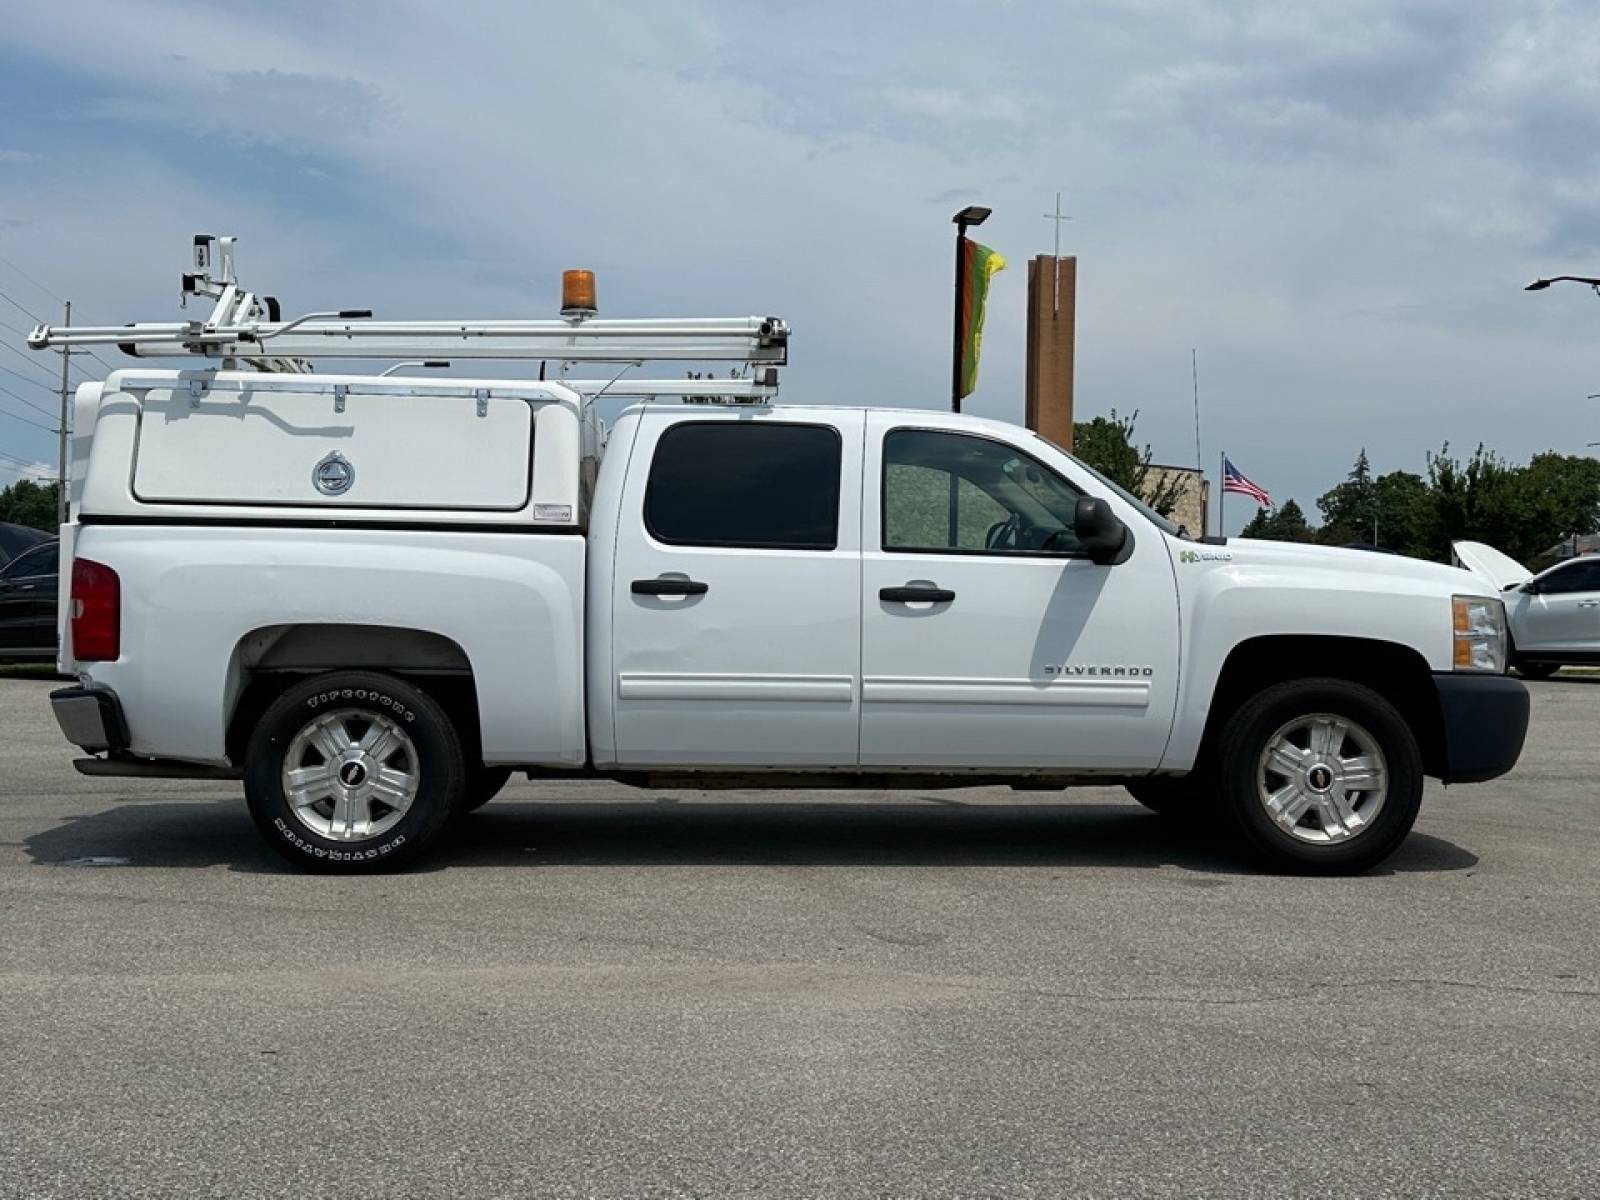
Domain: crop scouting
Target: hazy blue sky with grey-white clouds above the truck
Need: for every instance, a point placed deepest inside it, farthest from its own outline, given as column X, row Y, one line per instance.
column 1329, row 207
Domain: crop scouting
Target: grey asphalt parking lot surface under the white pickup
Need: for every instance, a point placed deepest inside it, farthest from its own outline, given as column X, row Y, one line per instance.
column 602, row 993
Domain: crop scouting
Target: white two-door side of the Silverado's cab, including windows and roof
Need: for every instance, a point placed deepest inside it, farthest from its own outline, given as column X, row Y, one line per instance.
column 826, row 588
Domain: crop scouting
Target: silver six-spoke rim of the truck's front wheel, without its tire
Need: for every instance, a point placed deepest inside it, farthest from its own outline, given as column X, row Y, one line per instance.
column 1322, row 778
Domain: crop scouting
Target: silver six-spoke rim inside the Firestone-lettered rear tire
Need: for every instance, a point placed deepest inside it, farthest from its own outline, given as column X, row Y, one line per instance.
column 351, row 775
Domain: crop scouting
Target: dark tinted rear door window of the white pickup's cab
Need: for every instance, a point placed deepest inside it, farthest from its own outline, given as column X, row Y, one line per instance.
column 745, row 484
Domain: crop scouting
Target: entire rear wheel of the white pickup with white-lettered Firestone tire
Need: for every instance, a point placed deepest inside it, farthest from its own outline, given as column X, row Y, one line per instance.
column 353, row 772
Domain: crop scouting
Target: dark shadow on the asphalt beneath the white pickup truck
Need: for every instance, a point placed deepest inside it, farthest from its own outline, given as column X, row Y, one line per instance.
column 657, row 833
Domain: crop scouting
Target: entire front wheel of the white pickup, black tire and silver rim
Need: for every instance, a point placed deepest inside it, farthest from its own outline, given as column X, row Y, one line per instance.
column 1321, row 777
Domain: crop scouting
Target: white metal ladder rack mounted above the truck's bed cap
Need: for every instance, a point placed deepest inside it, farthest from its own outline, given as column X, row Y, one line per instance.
column 246, row 329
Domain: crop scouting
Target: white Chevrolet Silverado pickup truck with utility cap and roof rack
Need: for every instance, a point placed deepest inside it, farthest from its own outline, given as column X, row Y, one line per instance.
column 374, row 598
